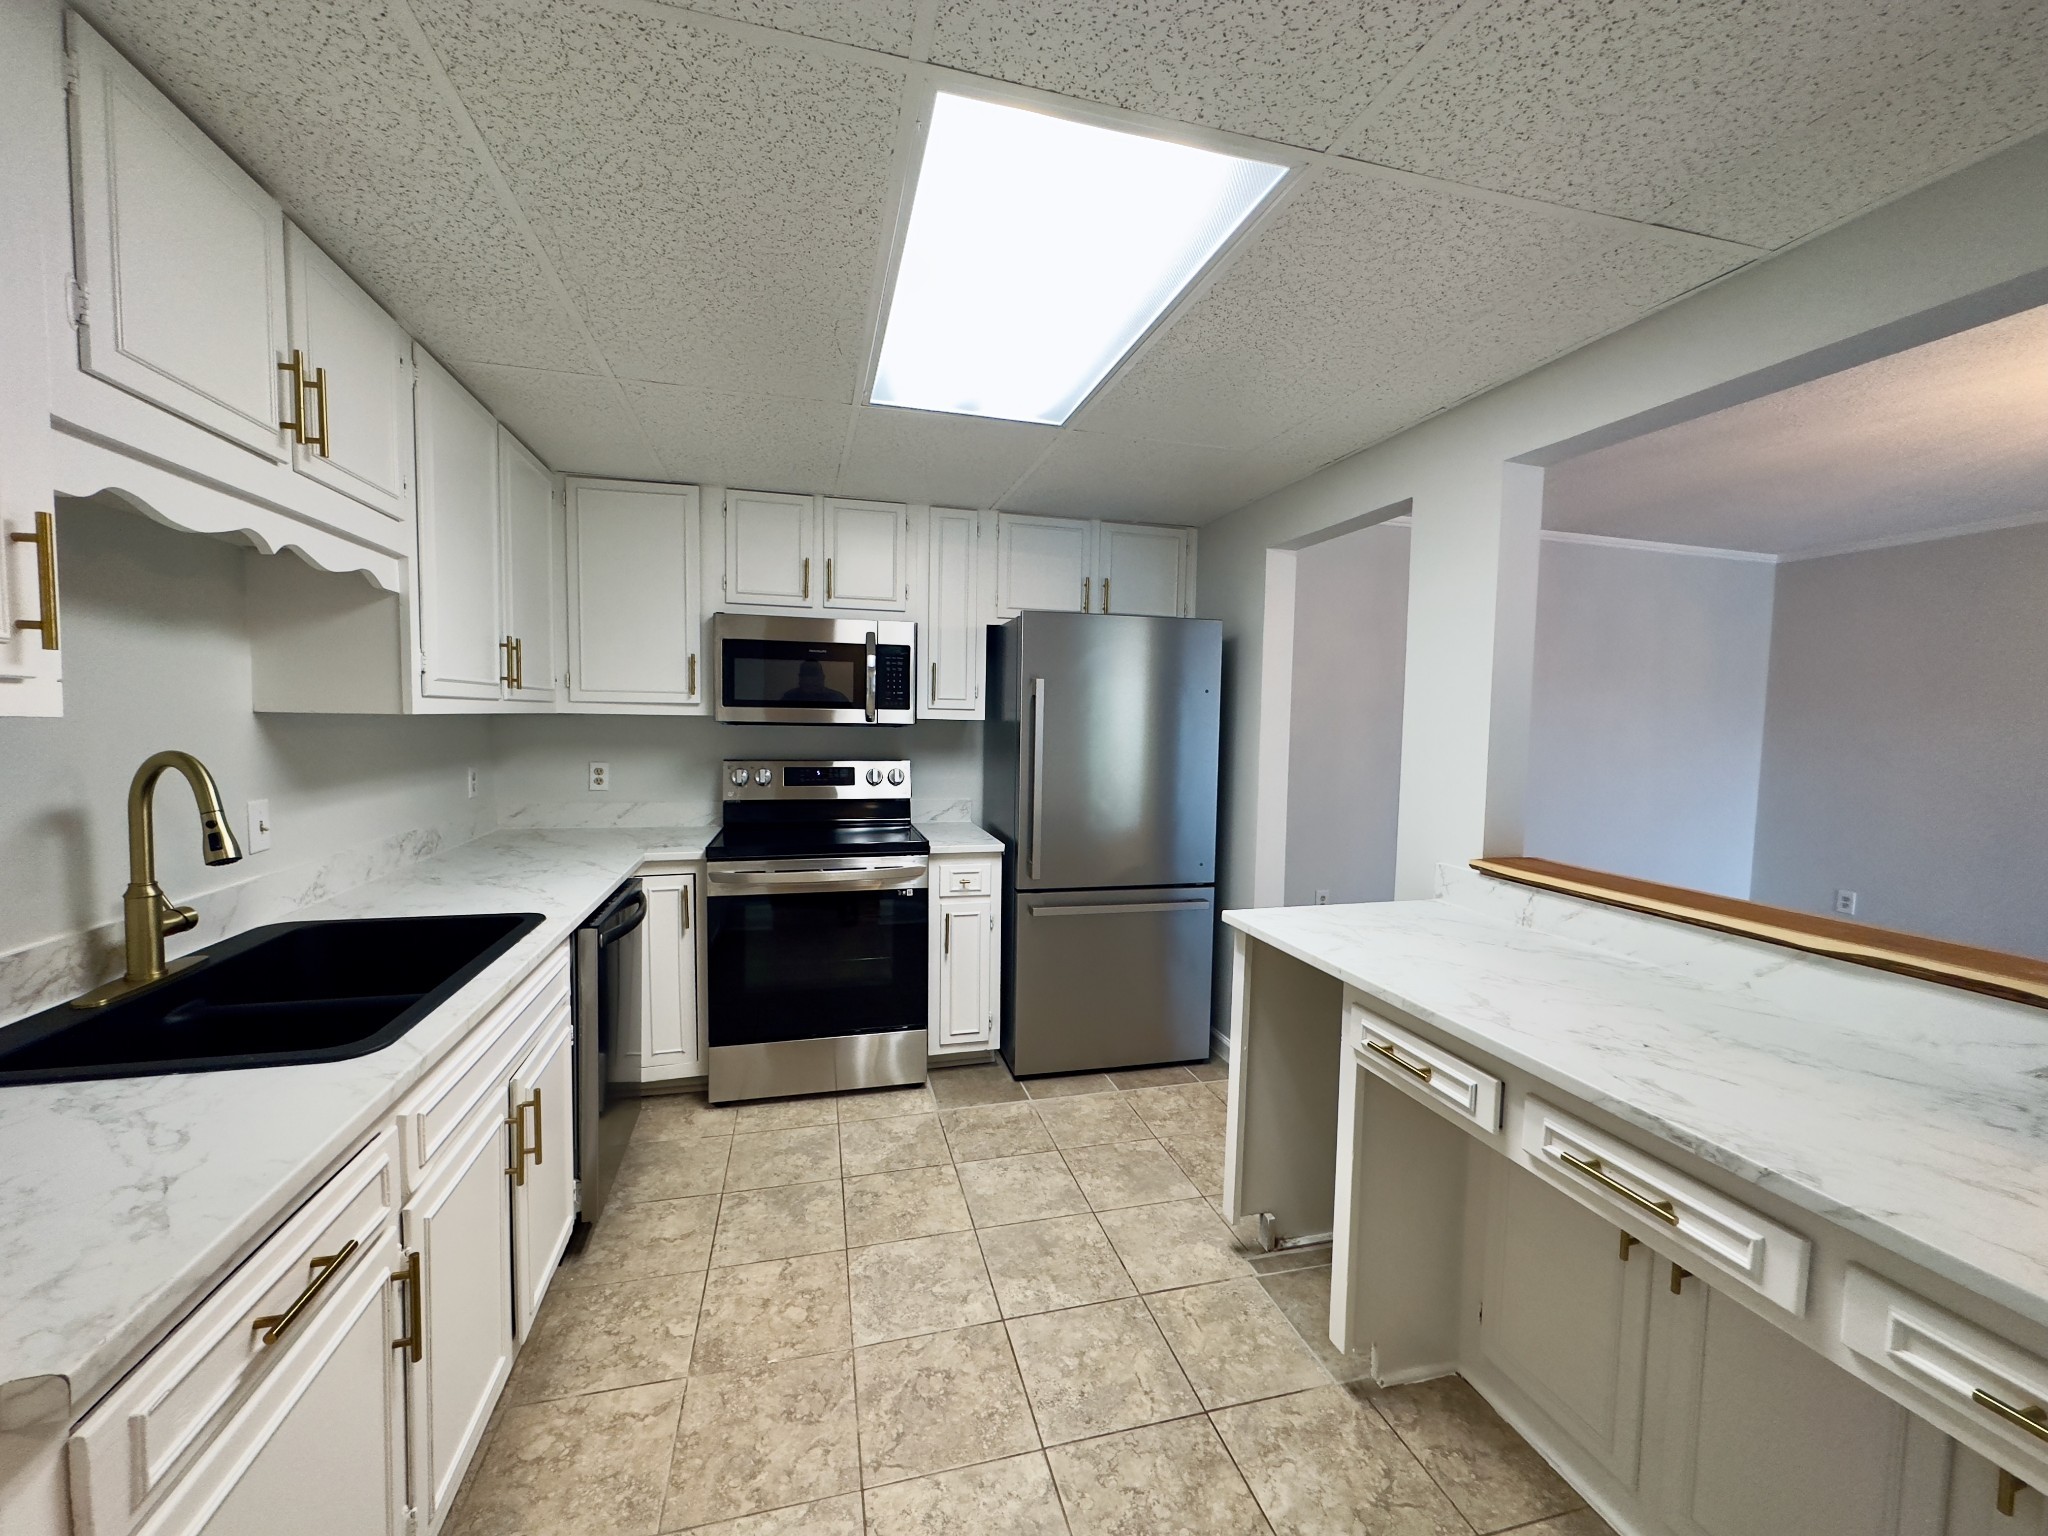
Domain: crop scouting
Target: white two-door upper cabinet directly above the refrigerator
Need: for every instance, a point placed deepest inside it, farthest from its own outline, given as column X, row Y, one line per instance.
column 1068, row 566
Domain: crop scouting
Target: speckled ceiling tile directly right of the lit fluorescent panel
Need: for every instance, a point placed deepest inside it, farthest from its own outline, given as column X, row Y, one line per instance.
column 1355, row 284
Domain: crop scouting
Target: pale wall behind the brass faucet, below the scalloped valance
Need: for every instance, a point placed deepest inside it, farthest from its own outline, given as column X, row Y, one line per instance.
column 157, row 656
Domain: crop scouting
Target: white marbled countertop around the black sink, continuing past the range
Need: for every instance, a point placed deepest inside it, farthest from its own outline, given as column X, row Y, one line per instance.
column 124, row 1201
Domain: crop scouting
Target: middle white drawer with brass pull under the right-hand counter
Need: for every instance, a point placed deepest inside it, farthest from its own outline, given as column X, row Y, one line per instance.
column 1670, row 1211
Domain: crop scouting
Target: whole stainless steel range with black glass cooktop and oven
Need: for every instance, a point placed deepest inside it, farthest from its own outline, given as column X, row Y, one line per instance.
column 816, row 931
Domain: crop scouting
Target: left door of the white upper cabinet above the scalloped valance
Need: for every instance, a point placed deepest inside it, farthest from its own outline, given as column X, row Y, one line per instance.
column 183, row 257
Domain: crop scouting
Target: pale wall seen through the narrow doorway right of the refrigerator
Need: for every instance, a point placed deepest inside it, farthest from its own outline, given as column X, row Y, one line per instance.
column 1345, row 761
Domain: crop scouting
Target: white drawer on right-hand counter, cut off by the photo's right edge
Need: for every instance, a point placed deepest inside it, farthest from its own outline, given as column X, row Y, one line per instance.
column 1965, row 1379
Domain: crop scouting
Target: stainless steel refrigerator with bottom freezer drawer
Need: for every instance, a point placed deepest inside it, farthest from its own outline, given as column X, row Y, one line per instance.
column 1101, row 779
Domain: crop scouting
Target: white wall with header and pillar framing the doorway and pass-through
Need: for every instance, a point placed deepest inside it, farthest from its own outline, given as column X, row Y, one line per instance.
column 1957, row 239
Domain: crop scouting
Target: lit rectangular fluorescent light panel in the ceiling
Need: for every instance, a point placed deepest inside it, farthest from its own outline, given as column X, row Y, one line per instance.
column 1041, row 251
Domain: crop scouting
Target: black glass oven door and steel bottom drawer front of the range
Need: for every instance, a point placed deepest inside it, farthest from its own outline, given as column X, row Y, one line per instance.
column 818, row 974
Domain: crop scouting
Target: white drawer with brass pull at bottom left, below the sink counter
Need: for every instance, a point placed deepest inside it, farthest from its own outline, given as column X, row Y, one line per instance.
column 142, row 1435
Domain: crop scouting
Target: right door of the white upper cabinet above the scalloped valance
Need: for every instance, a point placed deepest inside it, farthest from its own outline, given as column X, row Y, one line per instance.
column 361, row 419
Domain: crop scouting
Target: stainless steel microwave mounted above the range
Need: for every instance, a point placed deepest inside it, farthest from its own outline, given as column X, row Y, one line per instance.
column 814, row 671
